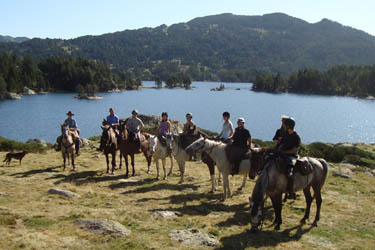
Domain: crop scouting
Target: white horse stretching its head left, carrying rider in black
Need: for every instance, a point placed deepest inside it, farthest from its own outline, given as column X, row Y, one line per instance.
column 216, row 150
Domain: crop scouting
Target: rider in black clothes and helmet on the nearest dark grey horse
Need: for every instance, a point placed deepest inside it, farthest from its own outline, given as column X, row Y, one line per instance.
column 288, row 149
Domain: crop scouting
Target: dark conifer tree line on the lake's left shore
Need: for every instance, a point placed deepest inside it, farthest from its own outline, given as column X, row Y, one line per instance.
column 61, row 73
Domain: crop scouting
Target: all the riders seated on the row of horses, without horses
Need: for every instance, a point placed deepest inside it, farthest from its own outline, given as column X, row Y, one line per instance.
column 239, row 141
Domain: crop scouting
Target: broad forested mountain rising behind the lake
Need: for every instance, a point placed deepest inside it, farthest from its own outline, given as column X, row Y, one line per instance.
column 209, row 47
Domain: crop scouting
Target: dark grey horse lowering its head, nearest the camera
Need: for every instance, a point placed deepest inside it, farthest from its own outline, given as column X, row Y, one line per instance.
column 273, row 183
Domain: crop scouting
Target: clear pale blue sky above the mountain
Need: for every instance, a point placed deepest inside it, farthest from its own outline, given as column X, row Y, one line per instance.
column 72, row 18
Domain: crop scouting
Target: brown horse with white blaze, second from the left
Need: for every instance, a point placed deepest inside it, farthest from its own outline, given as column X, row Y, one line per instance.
column 109, row 145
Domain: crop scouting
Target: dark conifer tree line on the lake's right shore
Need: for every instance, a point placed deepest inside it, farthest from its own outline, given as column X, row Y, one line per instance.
column 338, row 80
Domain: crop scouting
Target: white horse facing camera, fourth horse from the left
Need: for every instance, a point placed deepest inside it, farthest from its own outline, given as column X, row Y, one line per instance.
column 158, row 151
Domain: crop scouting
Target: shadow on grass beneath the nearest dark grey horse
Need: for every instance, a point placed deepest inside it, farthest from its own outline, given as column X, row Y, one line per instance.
column 263, row 238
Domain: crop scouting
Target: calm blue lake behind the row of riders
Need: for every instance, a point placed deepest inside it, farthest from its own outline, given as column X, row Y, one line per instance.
column 318, row 118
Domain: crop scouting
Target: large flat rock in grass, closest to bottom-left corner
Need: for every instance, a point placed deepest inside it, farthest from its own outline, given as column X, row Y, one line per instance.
column 102, row 226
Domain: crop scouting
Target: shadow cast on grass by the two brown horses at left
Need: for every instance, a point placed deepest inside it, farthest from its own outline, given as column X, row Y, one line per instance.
column 80, row 178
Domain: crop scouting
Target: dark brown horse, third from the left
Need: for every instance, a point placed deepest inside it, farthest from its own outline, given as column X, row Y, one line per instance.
column 128, row 147
